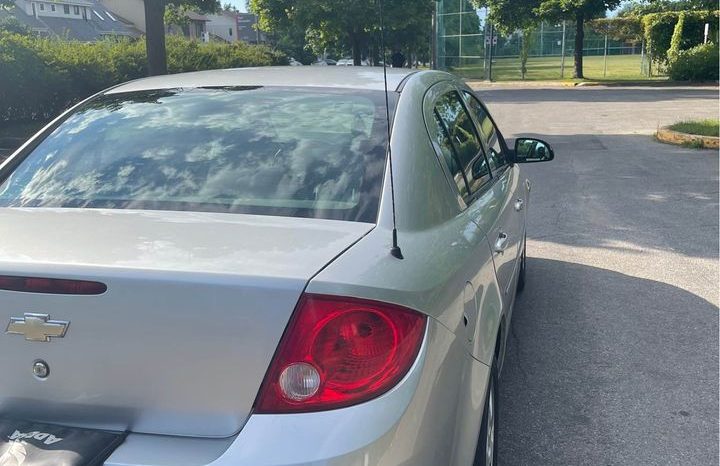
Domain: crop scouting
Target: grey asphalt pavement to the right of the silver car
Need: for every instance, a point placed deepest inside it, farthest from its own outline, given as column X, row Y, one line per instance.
column 613, row 357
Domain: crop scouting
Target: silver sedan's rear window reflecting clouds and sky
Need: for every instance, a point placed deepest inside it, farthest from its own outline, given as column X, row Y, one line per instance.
column 269, row 151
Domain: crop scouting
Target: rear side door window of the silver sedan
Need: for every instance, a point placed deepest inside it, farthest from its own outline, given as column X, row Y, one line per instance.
column 458, row 127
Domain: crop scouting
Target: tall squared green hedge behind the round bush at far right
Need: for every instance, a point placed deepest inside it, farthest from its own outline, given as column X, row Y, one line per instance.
column 659, row 28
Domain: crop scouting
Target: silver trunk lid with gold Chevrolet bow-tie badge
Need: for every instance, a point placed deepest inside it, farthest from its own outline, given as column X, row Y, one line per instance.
column 179, row 343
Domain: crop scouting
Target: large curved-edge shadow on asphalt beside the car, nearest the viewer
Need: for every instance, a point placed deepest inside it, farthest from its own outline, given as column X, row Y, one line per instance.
column 608, row 369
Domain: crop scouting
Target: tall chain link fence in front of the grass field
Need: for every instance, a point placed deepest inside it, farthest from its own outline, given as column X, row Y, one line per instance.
column 468, row 45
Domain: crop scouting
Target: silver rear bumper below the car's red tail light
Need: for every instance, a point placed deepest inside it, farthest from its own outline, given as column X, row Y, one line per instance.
column 414, row 423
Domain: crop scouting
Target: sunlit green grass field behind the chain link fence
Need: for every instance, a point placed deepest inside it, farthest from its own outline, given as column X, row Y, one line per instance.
column 619, row 68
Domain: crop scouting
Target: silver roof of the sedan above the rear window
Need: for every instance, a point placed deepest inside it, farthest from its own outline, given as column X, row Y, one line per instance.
column 357, row 77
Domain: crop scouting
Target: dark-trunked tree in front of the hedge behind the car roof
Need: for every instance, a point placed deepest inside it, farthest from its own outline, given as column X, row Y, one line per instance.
column 155, row 28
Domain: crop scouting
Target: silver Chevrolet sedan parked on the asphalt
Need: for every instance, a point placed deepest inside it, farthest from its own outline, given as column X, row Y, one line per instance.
column 230, row 268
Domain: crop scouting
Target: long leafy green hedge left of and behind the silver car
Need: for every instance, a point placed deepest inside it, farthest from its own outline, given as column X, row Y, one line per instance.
column 40, row 77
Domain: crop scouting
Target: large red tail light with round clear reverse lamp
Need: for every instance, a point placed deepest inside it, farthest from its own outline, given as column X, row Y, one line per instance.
column 338, row 352
